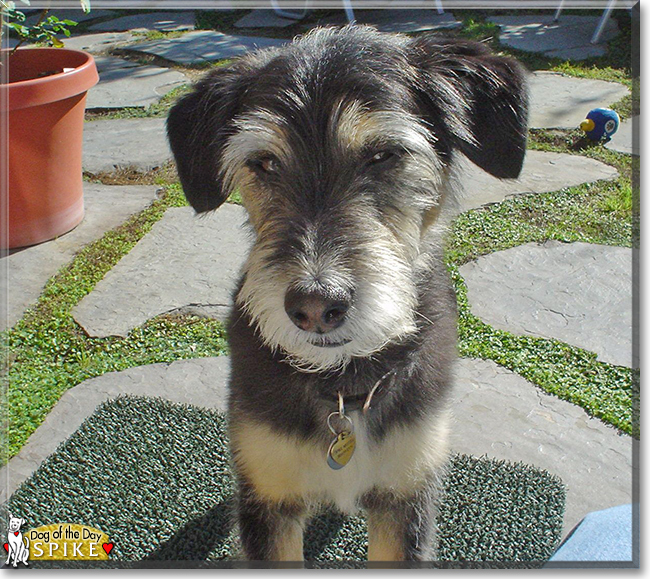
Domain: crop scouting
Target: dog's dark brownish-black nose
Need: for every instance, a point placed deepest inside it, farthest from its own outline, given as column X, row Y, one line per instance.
column 319, row 311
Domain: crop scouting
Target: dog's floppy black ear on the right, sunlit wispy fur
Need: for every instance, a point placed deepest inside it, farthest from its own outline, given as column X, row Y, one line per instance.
column 482, row 97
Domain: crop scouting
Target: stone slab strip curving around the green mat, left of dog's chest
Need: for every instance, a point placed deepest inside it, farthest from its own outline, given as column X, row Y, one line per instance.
column 200, row 382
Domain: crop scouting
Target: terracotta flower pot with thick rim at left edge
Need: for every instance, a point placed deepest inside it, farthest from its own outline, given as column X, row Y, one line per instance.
column 43, row 112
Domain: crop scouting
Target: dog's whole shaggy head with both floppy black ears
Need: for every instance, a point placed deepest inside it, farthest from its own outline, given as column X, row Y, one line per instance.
column 341, row 145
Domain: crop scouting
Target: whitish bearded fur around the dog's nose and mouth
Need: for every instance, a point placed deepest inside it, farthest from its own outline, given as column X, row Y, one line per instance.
column 381, row 313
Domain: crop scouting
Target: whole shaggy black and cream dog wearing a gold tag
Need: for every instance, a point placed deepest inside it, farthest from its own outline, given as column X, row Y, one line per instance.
column 342, row 145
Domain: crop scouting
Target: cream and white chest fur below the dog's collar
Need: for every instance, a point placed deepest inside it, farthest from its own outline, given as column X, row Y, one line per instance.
column 283, row 467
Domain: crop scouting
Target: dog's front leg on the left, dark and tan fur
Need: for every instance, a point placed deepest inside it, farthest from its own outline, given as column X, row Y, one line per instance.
column 270, row 531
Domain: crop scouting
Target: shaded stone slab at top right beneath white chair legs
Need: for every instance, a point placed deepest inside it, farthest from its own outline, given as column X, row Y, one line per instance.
column 569, row 38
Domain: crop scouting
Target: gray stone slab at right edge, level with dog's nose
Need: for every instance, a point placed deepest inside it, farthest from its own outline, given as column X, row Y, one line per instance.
column 578, row 293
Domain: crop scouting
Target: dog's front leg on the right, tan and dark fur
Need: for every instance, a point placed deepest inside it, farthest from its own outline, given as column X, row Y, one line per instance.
column 401, row 529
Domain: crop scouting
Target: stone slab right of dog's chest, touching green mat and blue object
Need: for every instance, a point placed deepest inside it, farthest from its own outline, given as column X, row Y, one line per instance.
column 500, row 414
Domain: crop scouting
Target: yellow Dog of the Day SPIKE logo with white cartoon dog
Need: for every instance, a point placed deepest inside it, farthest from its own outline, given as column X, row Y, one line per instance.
column 56, row 542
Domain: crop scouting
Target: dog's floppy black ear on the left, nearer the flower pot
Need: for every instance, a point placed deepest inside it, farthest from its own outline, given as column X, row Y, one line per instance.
column 198, row 126
